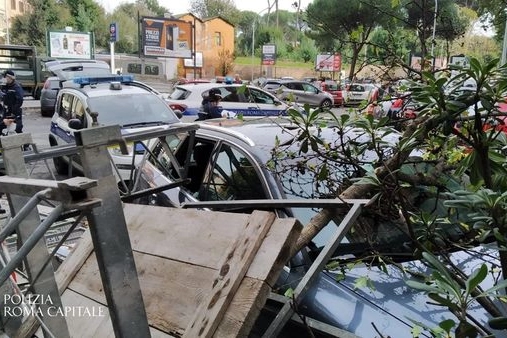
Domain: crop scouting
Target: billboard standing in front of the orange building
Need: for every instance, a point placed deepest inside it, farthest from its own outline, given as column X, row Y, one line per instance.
column 163, row 37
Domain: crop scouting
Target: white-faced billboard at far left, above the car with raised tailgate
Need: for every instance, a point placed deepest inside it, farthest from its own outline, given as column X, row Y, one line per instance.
column 70, row 45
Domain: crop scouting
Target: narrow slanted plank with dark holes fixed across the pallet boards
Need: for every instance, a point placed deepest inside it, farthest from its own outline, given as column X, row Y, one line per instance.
column 236, row 263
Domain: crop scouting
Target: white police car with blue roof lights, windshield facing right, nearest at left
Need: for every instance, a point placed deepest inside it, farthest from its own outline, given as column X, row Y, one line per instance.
column 85, row 102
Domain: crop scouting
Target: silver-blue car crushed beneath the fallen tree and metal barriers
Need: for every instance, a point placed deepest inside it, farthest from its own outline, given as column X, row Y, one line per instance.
column 227, row 162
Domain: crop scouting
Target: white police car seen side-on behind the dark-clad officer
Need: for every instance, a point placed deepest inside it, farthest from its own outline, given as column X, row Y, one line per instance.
column 240, row 99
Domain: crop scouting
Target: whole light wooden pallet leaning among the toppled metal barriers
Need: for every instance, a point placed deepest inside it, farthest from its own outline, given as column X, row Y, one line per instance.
column 202, row 273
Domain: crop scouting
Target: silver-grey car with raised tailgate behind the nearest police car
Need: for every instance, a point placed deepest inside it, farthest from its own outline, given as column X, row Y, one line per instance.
column 62, row 70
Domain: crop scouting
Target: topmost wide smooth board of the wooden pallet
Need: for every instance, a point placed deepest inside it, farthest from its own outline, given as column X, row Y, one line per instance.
column 183, row 234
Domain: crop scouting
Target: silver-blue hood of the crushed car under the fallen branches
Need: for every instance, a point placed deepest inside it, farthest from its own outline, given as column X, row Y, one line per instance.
column 387, row 306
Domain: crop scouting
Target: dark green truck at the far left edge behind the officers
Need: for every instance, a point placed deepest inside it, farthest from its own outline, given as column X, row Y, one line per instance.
column 28, row 67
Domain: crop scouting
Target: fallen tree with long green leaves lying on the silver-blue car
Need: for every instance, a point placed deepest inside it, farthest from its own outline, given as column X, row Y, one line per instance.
column 463, row 138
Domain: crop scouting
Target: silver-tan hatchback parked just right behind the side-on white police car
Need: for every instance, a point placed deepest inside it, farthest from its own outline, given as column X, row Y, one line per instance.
column 300, row 92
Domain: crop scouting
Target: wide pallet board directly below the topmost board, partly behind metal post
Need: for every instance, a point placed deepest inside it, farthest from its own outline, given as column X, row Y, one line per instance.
column 172, row 290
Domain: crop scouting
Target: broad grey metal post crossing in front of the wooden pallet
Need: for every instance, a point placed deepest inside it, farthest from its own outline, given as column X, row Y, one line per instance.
column 110, row 237
